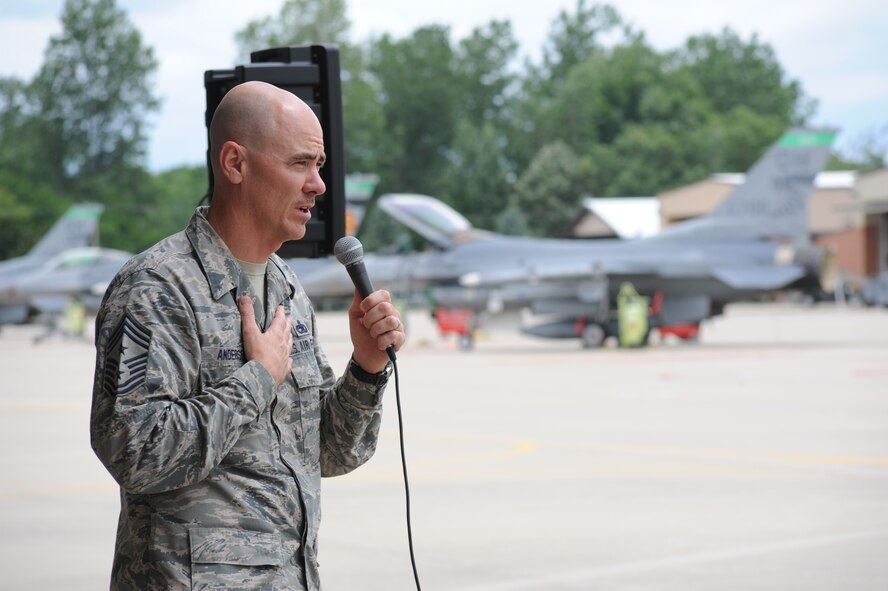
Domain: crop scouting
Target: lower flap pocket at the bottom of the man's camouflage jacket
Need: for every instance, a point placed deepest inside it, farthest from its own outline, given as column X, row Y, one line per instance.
column 229, row 558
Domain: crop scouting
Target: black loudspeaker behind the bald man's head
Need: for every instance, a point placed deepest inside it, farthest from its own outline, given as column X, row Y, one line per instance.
column 311, row 72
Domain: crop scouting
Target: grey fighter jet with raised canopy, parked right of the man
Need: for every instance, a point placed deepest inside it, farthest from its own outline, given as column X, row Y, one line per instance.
column 754, row 243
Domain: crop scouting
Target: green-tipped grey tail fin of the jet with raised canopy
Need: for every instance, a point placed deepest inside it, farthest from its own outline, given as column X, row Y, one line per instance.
column 773, row 202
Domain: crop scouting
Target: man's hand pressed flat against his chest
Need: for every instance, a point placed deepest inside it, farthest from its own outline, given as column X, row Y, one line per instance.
column 271, row 348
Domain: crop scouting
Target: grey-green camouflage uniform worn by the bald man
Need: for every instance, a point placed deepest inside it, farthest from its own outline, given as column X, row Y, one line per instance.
column 219, row 469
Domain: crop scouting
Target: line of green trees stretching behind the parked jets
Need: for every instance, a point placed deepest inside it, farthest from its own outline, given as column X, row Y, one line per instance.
column 511, row 144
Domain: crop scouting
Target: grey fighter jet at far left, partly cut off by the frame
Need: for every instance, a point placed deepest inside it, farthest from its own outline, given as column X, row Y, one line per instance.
column 61, row 265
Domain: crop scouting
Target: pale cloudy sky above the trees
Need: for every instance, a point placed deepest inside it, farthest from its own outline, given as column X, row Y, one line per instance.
column 838, row 50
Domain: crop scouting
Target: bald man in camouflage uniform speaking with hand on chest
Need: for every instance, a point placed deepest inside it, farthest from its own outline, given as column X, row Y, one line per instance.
column 214, row 407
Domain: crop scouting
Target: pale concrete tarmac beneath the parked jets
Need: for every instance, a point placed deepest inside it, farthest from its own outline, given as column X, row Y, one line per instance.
column 756, row 459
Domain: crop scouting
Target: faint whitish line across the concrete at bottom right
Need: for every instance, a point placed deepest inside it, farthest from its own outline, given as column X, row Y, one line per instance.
column 583, row 575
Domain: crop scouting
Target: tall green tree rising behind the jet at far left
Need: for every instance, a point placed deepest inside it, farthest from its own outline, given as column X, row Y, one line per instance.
column 86, row 114
